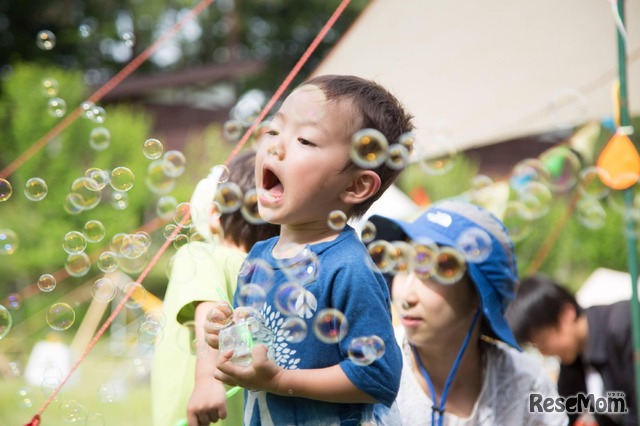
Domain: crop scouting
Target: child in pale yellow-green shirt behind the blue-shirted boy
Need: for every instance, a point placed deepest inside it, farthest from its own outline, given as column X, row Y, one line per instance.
column 202, row 273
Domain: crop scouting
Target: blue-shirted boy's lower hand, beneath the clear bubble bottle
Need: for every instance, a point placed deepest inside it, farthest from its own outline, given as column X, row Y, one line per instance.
column 261, row 374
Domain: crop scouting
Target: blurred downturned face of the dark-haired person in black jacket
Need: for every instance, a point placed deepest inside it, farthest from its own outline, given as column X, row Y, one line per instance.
column 561, row 340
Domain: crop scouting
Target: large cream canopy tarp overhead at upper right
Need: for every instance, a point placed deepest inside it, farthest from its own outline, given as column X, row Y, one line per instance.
column 492, row 70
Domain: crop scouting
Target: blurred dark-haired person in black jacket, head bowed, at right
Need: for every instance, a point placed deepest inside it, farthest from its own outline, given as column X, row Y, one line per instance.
column 594, row 345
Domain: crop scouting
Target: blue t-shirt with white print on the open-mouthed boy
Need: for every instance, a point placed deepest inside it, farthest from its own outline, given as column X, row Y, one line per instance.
column 347, row 281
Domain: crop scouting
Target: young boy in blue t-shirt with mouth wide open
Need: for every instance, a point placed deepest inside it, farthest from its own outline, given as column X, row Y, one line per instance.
column 304, row 173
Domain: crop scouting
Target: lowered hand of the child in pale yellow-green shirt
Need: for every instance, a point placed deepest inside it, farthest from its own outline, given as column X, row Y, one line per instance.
column 208, row 402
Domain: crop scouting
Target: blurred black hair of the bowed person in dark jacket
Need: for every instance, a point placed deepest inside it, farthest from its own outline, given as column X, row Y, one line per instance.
column 538, row 304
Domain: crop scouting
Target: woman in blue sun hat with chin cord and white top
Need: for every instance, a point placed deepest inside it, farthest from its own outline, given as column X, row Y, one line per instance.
column 454, row 273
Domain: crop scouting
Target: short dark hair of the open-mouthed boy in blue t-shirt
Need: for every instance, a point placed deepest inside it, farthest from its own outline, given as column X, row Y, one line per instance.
column 379, row 110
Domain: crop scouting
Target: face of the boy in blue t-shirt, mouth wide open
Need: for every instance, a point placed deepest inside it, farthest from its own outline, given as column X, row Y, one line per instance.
column 300, row 159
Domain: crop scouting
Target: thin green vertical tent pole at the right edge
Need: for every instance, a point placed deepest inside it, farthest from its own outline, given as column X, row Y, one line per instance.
column 632, row 241
